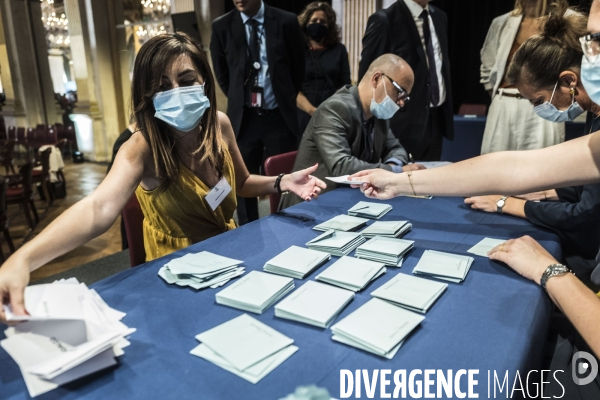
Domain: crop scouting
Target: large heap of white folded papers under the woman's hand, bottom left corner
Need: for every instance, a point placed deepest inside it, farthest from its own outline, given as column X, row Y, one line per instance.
column 70, row 332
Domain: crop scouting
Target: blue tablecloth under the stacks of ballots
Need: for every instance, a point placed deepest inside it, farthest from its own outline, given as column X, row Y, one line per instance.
column 494, row 320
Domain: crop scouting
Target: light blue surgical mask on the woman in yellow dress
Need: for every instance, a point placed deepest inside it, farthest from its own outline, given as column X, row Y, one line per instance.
column 182, row 108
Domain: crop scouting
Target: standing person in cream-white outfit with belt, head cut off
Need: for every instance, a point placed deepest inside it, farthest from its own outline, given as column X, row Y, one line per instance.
column 511, row 122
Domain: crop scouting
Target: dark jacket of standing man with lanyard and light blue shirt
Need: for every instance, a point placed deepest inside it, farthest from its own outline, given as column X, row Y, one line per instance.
column 285, row 56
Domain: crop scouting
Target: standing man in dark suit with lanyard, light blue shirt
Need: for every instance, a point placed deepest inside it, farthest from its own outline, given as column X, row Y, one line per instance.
column 258, row 59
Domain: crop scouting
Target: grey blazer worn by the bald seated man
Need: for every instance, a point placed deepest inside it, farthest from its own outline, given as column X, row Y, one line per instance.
column 334, row 138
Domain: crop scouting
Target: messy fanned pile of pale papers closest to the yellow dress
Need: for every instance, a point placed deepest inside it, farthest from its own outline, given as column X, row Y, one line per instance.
column 201, row 270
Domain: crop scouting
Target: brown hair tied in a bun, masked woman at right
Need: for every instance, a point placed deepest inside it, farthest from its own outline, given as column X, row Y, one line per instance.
column 540, row 60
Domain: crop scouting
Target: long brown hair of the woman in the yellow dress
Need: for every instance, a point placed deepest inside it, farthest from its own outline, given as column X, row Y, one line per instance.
column 150, row 64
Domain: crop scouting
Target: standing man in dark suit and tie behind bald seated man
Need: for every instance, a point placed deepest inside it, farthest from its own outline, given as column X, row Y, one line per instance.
column 416, row 31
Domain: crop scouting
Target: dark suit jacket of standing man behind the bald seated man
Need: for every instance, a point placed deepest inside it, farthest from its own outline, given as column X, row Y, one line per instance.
column 393, row 30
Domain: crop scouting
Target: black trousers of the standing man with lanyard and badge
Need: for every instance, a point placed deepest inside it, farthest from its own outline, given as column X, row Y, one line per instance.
column 261, row 136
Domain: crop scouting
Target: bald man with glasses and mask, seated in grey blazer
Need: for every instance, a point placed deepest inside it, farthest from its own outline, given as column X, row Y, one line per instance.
column 350, row 131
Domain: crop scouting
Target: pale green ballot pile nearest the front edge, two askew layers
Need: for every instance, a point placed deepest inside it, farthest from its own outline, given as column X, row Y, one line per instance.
column 245, row 347
